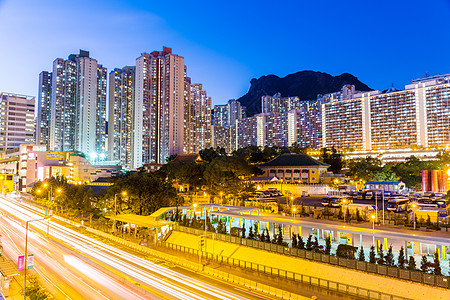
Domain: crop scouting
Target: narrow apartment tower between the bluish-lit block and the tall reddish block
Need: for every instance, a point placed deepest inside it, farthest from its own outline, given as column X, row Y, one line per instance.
column 120, row 118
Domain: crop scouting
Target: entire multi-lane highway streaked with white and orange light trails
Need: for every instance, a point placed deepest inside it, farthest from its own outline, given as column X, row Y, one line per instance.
column 71, row 267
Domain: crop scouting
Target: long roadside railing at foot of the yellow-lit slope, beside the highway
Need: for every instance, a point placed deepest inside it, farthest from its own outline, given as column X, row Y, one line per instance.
column 330, row 285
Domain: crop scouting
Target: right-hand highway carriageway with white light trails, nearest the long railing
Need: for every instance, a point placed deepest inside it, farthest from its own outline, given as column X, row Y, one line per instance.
column 166, row 282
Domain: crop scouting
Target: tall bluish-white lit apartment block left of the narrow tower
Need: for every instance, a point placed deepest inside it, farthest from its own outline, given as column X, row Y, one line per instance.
column 77, row 105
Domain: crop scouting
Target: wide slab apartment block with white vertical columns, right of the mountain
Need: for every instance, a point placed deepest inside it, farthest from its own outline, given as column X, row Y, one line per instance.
column 375, row 120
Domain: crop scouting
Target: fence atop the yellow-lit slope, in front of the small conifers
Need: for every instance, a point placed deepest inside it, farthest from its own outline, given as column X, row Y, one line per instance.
column 415, row 276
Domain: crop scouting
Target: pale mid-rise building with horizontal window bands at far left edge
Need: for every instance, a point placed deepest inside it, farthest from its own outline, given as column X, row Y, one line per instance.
column 16, row 121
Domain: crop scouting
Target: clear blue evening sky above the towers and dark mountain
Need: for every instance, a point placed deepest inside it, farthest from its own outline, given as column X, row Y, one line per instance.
column 227, row 43
